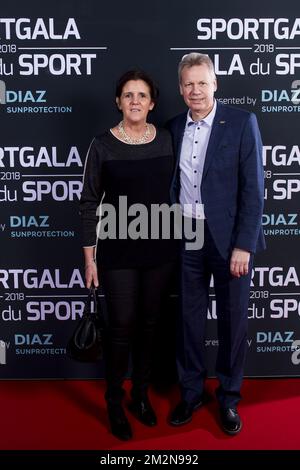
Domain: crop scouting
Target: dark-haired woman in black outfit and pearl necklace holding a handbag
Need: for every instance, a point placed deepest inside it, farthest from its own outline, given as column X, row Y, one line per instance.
column 131, row 163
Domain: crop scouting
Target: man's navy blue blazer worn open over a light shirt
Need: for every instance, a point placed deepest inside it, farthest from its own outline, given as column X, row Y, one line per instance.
column 232, row 187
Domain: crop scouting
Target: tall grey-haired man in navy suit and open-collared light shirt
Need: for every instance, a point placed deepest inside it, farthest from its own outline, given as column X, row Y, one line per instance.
column 219, row 165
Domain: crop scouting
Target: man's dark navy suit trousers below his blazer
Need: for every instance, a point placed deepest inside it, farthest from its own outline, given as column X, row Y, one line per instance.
column 232, row 298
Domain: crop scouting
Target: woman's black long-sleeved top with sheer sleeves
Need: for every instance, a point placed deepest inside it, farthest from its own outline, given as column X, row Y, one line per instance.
column 141, row 174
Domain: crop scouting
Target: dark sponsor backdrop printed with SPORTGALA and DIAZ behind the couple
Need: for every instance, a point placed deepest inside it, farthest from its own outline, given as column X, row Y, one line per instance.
column 58, row 65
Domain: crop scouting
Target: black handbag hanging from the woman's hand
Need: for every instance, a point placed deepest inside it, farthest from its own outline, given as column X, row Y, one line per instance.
column 86, row 342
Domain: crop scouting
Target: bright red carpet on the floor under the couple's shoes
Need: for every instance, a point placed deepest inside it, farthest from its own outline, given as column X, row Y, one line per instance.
column 71, row 415
